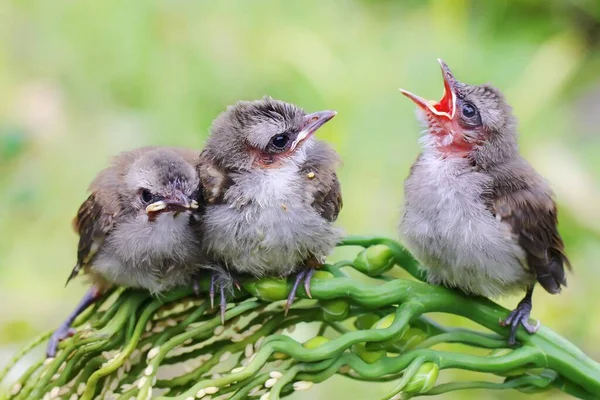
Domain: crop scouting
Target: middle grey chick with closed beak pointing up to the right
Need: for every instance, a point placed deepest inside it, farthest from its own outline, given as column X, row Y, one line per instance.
column 271, row 191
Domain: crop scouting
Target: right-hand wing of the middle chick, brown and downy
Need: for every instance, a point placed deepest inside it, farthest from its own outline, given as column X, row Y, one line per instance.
column 322, row 182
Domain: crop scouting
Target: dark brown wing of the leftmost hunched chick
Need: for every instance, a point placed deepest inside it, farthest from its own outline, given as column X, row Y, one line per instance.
column 93, row 223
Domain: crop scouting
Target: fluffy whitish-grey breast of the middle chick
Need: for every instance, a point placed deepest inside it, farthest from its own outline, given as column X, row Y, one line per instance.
column 267, row 225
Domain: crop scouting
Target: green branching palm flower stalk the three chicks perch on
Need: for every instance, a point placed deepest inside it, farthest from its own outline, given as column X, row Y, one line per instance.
column 132, row 345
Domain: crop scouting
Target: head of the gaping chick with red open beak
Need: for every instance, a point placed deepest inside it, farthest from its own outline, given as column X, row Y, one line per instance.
column 469, row 121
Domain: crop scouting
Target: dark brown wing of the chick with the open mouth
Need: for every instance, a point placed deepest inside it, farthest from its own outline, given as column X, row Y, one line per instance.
column 532, row 217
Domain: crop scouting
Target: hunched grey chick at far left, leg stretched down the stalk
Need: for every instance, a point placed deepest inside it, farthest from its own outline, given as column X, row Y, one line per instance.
column 139, row 227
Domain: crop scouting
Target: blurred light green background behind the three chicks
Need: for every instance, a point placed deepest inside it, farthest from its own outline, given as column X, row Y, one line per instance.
column 83, row 80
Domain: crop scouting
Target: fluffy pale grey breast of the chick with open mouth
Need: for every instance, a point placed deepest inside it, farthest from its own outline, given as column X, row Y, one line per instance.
column 448, row 227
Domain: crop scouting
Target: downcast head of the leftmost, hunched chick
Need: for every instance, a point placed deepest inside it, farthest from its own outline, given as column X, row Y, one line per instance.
column 161, row 181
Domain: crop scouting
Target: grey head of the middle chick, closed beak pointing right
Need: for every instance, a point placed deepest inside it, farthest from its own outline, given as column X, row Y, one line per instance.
column 264, row 133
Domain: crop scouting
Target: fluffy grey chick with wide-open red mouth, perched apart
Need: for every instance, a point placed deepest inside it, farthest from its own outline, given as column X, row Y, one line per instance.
column 476, row 214
